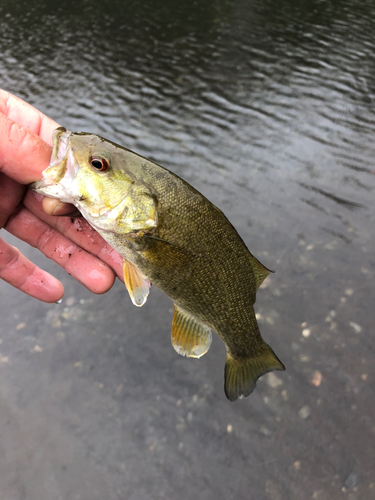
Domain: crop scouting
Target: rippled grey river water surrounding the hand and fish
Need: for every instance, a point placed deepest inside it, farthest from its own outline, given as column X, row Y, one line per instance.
column 267, row 108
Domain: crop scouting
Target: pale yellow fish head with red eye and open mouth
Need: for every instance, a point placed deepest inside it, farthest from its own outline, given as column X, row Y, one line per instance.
column 91, row 173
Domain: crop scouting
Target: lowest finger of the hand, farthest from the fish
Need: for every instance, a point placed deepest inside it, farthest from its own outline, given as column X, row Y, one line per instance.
column 19, row 272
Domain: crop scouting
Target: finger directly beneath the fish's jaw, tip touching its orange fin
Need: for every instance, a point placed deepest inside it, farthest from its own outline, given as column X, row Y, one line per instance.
column 77, row 230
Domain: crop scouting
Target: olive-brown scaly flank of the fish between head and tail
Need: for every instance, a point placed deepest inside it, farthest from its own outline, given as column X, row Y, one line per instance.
column 214, row 259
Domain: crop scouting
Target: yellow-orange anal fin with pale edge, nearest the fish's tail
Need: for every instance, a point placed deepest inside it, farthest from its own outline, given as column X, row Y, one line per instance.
column 189, row 337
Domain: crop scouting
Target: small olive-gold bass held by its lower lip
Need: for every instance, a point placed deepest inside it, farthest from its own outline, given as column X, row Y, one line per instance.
column 171, row 236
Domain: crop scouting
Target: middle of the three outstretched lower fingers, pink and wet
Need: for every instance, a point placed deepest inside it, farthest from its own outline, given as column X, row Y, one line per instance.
column 84, row 267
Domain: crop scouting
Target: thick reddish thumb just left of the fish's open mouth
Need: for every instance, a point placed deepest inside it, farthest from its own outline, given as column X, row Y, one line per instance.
column 23, row 154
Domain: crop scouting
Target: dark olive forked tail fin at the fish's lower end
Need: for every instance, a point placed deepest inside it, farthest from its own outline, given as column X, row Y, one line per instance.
column 241, row 374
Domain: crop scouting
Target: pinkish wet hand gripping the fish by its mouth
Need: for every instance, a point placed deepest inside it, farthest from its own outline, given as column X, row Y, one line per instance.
column 25, row 151
